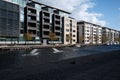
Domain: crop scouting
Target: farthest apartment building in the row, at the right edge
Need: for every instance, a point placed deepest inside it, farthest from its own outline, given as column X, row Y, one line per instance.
column 110, row 36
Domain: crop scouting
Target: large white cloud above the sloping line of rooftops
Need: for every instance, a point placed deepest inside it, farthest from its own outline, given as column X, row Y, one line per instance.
column 79, row 9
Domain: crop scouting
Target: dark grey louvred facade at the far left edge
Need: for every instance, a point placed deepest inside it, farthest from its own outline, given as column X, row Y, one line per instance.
column 9, row 21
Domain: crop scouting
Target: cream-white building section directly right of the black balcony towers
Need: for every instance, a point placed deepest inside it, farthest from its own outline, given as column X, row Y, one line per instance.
column 69, row 31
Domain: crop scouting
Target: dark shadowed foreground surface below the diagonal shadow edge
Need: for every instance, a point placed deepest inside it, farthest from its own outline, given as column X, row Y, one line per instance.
column 94, row 67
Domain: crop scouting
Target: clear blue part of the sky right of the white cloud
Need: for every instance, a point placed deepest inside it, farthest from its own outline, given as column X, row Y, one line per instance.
column 110, row 10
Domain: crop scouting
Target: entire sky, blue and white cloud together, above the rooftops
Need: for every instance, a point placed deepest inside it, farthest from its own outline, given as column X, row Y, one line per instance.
column 103, row 12
